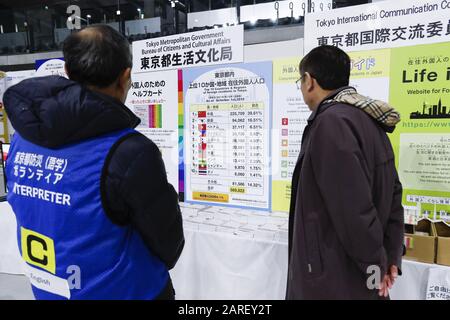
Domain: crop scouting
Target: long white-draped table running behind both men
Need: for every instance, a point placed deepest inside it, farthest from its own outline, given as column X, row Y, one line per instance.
column 227, row 259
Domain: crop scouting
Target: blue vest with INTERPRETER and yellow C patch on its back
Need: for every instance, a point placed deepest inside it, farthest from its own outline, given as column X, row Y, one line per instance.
column 71, row 248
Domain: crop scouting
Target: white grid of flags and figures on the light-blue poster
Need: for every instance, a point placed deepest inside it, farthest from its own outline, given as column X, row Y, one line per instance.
column 229, row 153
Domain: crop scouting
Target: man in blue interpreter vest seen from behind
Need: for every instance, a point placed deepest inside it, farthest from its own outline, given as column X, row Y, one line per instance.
column 96, row 216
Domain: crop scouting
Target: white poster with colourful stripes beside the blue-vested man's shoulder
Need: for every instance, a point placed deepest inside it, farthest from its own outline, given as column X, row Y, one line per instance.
column 153, row 97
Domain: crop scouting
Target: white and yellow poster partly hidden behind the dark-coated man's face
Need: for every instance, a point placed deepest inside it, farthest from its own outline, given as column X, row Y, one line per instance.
column 290, row 115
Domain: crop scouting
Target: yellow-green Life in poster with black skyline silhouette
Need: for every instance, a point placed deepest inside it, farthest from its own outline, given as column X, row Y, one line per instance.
column 420, row 90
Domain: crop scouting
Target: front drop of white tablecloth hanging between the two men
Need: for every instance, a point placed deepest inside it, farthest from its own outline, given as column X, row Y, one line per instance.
column 220, row 266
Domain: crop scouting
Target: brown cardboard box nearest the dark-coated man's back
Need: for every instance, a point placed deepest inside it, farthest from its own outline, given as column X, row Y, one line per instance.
column 421, row 247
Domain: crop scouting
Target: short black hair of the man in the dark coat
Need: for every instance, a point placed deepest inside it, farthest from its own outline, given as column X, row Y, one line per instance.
column 329, row 65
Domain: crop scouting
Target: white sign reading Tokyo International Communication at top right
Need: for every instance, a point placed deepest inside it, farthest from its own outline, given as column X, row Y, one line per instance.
column 385, row 24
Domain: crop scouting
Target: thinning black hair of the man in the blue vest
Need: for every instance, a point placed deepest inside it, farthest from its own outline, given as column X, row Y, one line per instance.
column 96, row 55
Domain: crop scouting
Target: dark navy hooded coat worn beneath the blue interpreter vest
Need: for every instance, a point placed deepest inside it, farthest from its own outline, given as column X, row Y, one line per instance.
column 54, row 111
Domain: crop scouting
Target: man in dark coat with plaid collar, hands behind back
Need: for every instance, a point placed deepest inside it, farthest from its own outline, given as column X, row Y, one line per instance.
column 346, row 218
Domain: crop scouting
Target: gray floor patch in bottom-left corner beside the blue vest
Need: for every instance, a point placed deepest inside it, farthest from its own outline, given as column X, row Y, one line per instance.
column 15, row 287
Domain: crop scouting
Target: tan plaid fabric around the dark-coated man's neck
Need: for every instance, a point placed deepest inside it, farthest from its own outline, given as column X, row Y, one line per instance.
column 379, row 110
